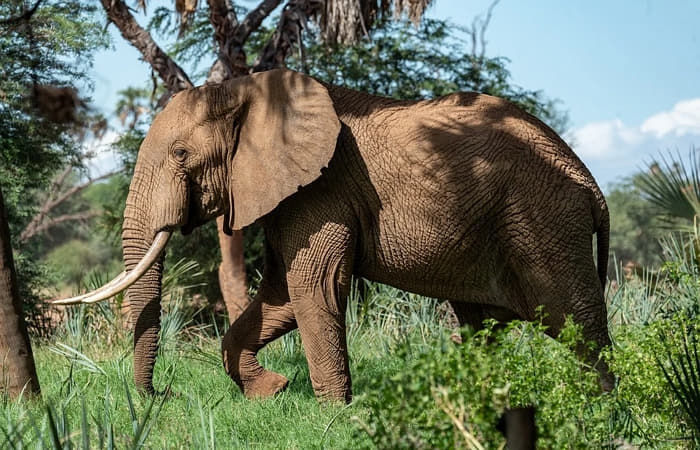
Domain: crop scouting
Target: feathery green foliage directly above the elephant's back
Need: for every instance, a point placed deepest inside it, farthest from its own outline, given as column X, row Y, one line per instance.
column 403, row 61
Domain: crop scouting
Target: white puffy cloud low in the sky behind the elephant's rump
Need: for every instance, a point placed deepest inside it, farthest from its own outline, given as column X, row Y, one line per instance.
column 612, row 148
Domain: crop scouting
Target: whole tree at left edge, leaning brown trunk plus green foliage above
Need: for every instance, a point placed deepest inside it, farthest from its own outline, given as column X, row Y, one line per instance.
column 39, row 115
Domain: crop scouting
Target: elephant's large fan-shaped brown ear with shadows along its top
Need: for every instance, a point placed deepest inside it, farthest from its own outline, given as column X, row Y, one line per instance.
column 288, row 133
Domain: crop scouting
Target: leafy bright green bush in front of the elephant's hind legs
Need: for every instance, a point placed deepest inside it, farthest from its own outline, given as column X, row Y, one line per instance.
column 451, row 396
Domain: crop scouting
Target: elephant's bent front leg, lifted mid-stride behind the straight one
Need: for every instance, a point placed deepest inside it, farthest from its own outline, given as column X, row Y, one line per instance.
column 267, row 318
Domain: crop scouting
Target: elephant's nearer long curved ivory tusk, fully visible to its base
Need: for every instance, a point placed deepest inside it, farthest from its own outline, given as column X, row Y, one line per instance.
column 125, row 279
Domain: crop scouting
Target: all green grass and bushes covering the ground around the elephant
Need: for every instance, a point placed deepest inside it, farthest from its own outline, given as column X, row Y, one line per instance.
column 414, row 387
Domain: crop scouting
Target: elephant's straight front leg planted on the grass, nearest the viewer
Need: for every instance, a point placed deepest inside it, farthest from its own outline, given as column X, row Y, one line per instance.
column 319, row 281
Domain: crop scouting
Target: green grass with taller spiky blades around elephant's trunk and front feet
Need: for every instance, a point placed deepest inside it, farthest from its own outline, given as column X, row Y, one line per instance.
column 85, row 374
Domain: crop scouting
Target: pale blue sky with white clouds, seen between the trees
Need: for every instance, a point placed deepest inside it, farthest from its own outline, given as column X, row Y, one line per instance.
column 627, row 71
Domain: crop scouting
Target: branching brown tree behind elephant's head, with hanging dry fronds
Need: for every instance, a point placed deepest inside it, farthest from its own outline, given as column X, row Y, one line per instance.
column 339, row 21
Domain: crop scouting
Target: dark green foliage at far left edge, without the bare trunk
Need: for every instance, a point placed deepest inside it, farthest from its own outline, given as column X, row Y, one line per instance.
column 55, row 48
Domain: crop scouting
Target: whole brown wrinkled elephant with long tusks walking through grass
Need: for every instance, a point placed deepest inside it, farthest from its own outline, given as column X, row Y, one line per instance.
column 465, row 198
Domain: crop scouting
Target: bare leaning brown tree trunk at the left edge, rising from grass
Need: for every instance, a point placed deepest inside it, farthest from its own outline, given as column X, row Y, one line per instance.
column 17, row 369
